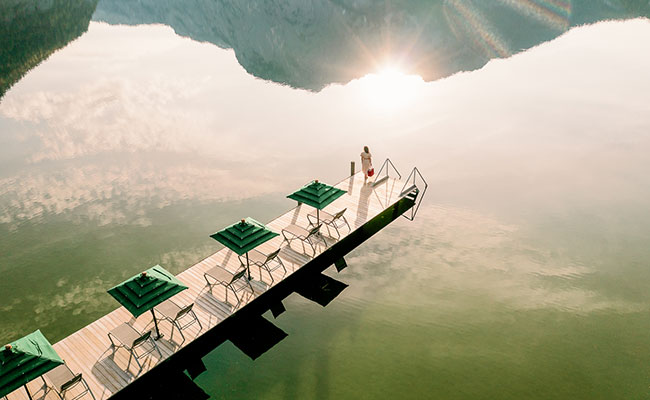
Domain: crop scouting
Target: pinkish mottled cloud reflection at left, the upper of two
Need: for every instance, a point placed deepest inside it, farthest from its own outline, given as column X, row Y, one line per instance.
column 111, row 115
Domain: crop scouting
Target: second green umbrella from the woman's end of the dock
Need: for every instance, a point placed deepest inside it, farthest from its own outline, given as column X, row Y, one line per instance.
column 243, row 236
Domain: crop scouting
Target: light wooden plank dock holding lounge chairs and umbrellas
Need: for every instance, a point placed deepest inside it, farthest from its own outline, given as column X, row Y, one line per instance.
column 108, row 371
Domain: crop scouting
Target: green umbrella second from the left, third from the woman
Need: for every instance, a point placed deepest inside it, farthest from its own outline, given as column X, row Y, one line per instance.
column 146, row 290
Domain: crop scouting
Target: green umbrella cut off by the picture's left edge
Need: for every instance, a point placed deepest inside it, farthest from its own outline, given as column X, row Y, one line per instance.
column 25, row 360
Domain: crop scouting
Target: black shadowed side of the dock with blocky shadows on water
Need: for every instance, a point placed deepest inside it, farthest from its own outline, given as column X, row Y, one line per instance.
column 248, row 329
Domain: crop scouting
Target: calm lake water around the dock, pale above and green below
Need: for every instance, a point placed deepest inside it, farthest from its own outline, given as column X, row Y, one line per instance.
column 525, row 274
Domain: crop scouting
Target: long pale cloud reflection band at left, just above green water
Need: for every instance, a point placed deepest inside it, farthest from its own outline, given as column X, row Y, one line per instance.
column 117, row 193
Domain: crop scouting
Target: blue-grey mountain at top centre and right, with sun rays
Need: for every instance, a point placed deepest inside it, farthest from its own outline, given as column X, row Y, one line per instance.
column 310, row 44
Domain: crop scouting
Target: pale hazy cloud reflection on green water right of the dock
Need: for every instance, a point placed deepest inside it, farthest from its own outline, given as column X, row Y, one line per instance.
column 457, row 259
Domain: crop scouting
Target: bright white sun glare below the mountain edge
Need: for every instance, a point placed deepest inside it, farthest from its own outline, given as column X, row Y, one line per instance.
column 390, row 89
